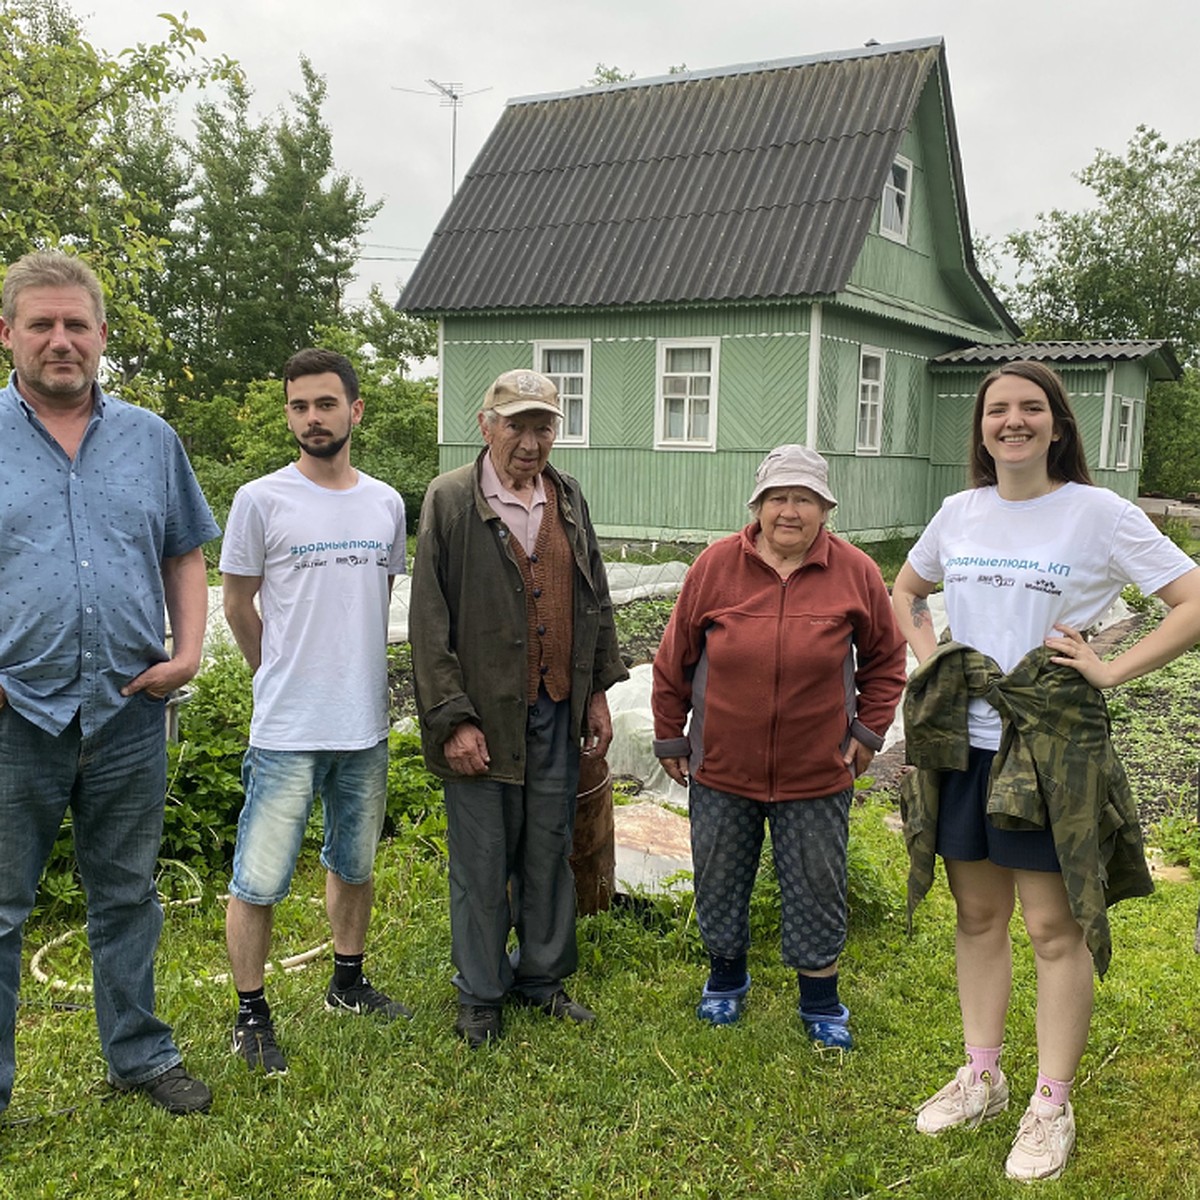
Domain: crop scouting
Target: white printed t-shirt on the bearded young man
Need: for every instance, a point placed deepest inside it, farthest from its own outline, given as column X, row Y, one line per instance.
column 325, row 557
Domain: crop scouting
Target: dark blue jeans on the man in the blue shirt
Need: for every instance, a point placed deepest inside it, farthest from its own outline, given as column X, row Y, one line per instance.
column 113, row 783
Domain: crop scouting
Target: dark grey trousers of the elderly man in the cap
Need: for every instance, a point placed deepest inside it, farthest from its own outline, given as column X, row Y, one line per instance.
column 511, row 847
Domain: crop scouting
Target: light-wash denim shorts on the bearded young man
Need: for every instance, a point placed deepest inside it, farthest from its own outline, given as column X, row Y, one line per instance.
column 281, row 787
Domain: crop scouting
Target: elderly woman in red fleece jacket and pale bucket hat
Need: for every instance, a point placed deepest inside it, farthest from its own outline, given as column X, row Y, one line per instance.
column 784, row 651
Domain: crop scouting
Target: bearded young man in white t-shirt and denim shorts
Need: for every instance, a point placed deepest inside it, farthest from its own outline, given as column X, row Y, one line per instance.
column 319, row 544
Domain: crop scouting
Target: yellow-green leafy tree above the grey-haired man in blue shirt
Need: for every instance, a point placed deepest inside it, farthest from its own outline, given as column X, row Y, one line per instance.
column 64, row 112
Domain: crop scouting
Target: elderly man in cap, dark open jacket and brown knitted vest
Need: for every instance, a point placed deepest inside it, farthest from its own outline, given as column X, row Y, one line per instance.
column 514, row 647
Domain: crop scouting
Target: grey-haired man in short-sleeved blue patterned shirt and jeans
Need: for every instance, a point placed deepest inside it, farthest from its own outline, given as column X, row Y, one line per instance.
column 101, row 527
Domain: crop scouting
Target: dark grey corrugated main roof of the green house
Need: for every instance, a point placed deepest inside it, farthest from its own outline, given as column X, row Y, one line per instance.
column 749, row 183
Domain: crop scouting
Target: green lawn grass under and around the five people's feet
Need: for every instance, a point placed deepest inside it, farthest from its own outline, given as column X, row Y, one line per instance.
column 647, row 1103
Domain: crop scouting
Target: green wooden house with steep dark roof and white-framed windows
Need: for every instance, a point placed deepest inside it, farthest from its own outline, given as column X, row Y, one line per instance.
column 715, row 263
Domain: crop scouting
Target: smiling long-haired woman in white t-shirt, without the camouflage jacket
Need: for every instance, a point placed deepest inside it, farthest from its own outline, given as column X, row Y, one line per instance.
column 1034, row 508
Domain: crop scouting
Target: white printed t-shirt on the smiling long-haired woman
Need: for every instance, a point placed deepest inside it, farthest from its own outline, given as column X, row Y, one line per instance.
column 1015, row 569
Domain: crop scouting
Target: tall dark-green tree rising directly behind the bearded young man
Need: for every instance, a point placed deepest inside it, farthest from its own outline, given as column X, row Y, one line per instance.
column 262, row 247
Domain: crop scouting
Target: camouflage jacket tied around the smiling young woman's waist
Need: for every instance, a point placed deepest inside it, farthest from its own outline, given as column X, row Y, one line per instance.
column 1055, row 765
